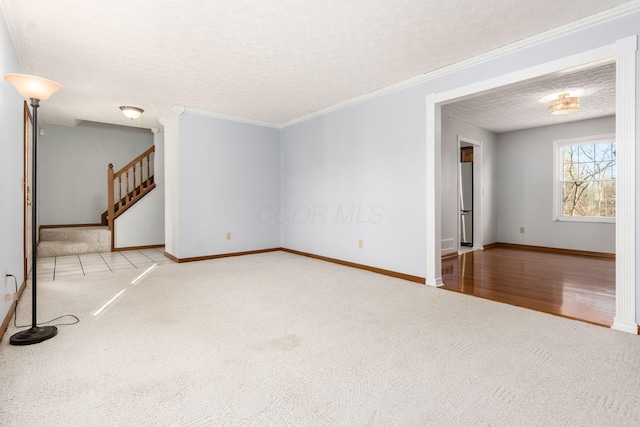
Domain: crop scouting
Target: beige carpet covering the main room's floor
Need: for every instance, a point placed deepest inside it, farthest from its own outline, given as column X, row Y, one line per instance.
column 278, row 339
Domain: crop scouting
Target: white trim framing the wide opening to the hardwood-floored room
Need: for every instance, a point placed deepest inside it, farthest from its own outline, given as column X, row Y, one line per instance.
column 624, row 51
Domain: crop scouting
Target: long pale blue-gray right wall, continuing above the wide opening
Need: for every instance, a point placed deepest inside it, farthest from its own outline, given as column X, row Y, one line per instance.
column 373, row 154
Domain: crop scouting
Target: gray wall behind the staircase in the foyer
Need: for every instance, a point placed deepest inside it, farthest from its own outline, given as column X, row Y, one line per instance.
column 72, row 168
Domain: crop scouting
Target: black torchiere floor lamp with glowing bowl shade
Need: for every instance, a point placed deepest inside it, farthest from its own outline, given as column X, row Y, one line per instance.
column 36, row 89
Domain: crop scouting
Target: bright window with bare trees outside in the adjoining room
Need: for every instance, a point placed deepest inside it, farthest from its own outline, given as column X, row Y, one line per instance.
column 585, row 179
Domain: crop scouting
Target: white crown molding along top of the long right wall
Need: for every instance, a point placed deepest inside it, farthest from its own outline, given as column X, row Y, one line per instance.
column 573, row 27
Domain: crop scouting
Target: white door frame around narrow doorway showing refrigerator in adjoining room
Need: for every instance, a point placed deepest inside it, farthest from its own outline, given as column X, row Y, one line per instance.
column 477, row 191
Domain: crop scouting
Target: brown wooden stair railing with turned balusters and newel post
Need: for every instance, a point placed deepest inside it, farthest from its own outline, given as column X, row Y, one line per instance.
column 128, row 185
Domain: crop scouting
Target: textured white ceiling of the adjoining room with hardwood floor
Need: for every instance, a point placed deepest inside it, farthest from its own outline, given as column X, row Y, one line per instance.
column 527, row 105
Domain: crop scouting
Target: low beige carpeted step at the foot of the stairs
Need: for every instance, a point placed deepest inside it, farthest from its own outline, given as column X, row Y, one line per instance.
column 74, row 241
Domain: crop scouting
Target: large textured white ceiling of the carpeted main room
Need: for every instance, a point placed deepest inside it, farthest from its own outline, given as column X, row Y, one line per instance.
column 271, row 61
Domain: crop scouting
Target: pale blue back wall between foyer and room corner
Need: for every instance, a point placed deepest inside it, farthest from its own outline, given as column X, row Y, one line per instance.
column 228, row 174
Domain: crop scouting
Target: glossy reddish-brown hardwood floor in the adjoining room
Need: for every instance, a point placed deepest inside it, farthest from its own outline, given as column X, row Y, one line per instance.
column 579, row 287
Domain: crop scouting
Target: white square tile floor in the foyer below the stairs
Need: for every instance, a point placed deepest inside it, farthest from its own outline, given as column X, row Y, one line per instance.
column 57, row 268
